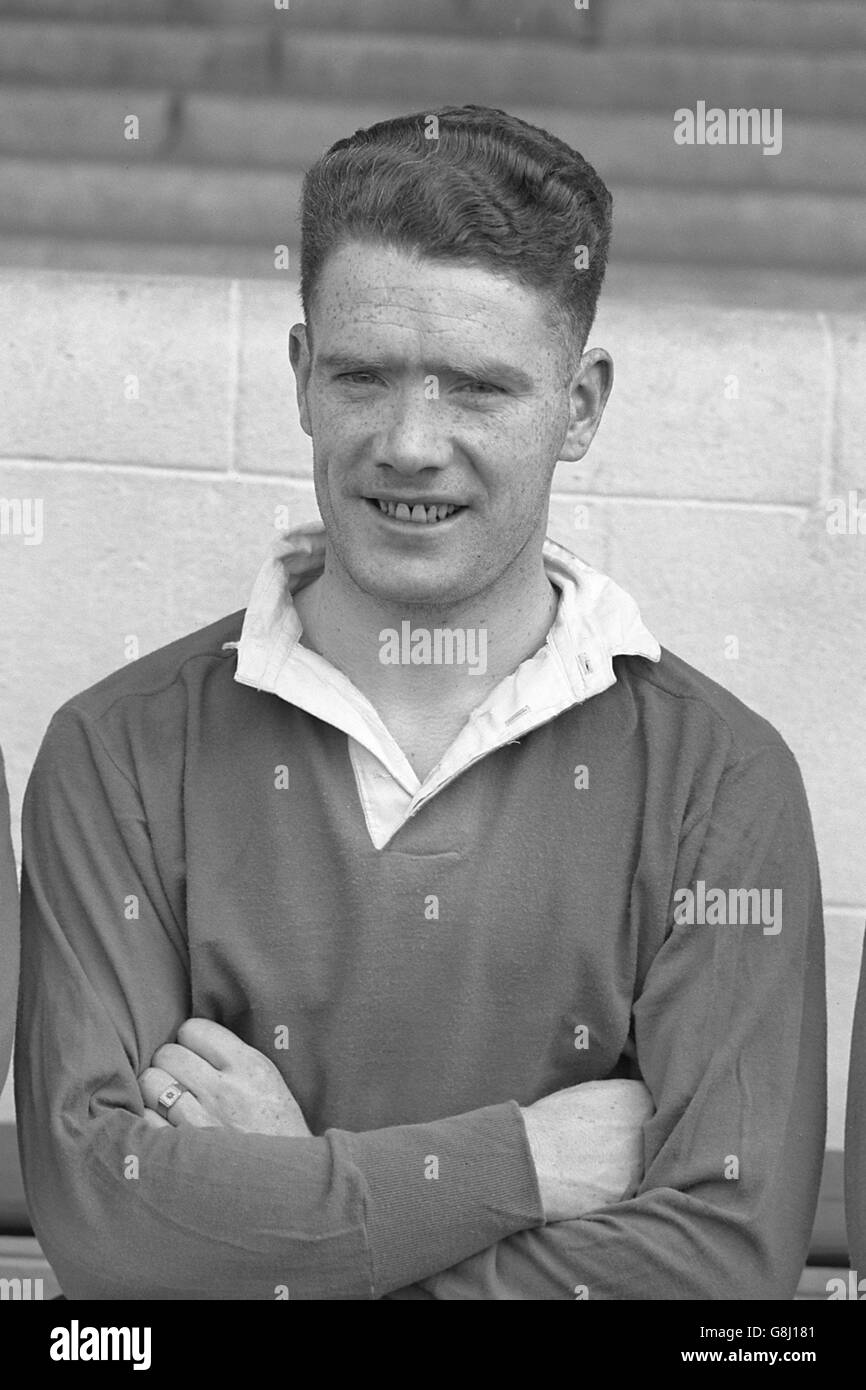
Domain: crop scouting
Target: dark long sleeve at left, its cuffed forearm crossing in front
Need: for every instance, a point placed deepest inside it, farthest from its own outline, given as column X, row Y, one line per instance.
column 127, row 1211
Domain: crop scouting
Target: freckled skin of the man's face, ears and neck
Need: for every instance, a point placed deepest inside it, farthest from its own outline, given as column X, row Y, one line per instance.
column 489, row 441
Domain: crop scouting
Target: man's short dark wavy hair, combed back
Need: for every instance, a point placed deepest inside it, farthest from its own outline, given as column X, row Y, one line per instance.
column 471, row 184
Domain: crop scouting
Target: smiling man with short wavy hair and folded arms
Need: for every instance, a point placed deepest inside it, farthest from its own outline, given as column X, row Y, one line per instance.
column 351, row 963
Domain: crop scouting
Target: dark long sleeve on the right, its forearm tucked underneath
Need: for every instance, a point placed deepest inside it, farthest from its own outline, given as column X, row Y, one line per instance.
column 730, row 1035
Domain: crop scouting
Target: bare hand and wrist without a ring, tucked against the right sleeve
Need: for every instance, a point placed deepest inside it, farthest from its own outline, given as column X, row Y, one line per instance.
column 587, row 1145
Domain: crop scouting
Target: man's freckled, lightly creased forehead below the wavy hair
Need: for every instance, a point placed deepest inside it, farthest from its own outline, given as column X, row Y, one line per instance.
column 379, row 294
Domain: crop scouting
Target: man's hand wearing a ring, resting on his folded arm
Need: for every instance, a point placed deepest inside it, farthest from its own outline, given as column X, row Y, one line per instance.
column 227, row 1084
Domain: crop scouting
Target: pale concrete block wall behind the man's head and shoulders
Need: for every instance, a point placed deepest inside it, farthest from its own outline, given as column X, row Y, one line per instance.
column 155, row 423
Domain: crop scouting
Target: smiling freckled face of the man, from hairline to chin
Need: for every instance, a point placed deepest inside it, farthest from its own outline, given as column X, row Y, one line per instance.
column 432, row 384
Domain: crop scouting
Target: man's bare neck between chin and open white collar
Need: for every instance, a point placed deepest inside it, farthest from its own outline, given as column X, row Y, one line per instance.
column 497, row 630
